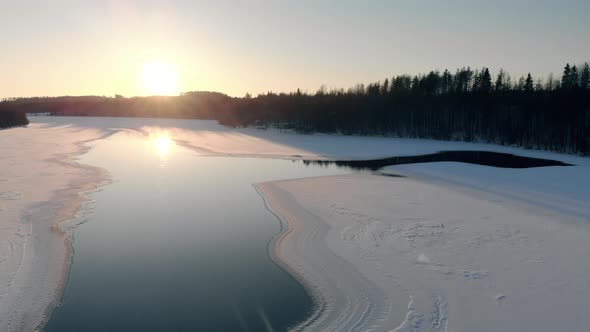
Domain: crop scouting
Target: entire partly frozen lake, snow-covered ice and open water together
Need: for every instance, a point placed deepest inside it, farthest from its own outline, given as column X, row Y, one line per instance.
column 179, row 240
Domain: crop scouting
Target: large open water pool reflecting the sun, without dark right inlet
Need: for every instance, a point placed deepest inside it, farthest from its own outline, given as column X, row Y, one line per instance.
column 179, row 242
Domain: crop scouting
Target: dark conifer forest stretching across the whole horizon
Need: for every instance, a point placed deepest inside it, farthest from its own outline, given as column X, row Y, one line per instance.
column 550, row 113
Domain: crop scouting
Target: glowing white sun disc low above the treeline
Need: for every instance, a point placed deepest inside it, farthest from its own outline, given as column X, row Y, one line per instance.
column 160, row 78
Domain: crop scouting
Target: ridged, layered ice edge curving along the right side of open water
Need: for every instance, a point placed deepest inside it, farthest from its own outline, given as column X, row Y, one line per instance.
column 343, row 300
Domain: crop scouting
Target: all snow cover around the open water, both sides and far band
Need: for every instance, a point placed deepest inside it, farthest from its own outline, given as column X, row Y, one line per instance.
column 450, row 246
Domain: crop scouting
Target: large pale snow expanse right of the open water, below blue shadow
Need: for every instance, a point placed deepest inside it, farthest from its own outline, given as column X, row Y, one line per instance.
column 372, row 248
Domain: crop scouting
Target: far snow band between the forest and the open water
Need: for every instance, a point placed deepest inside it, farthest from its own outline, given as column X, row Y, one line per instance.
column 210, row 138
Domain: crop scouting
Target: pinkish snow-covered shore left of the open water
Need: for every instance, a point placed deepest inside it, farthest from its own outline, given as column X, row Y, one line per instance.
column 41, row 187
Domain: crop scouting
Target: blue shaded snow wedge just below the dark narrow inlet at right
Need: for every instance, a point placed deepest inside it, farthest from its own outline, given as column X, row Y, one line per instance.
column 562, row 190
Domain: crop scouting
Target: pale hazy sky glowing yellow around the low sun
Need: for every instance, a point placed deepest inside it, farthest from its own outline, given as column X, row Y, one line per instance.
column 83, row 47
